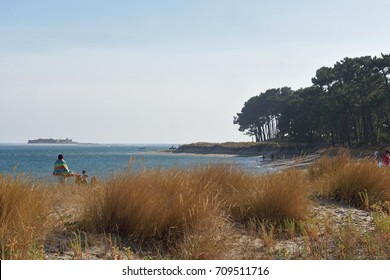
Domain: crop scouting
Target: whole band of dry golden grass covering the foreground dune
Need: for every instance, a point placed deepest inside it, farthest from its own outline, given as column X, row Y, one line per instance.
column 198, row 213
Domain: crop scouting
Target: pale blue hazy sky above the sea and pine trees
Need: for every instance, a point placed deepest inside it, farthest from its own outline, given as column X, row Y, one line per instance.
column 167, row 71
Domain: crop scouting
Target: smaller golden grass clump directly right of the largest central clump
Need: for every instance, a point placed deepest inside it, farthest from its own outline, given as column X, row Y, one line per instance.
column 272, row 198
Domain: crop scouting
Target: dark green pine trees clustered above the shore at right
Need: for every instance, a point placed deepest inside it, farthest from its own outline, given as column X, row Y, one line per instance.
column 348, row 103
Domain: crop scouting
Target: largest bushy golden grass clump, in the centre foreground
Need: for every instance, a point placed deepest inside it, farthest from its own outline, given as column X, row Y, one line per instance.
column 151, row 207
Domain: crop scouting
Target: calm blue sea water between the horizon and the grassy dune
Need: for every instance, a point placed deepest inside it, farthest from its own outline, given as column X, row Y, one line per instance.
column 37, row 161
